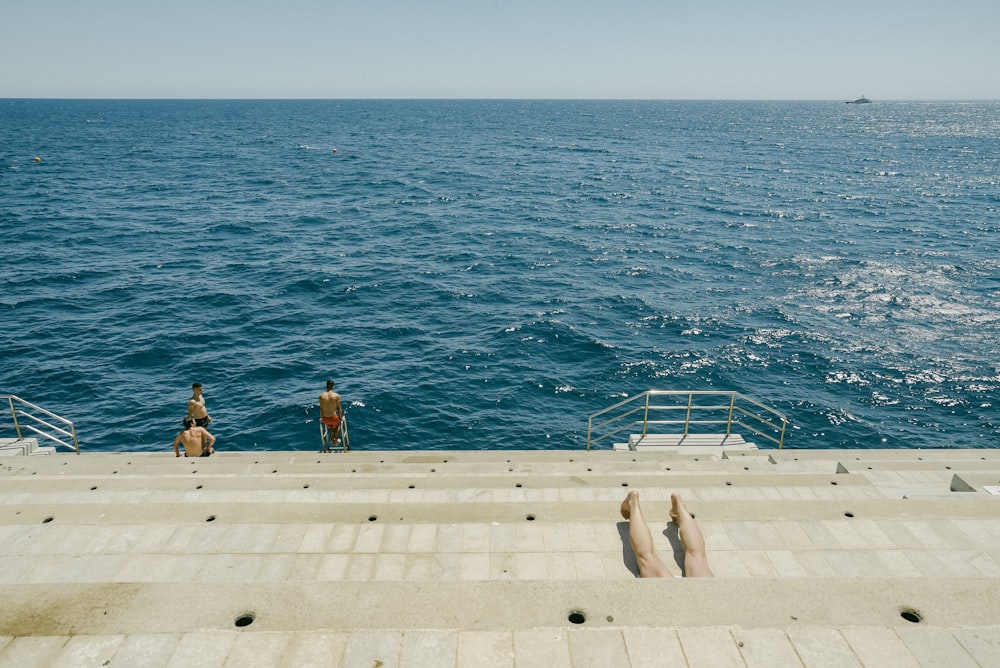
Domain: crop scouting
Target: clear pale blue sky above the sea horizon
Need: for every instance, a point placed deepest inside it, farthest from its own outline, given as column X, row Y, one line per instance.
column 659, row 49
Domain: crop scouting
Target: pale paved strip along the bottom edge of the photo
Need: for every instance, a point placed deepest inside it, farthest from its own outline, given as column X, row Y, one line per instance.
column 566, row 645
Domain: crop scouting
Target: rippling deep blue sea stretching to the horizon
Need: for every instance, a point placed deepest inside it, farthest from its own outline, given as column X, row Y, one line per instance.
column 485, row 274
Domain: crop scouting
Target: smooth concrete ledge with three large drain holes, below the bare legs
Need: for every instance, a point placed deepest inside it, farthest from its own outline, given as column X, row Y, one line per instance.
column 153, row 608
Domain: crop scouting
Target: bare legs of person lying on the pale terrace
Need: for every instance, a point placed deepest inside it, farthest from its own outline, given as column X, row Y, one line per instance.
column 650, row 565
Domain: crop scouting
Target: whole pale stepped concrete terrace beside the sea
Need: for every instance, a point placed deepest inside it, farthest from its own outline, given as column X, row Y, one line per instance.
column 498, row 558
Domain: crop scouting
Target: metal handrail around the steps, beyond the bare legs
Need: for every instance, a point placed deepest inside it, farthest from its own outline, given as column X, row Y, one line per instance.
column 766, row 422
